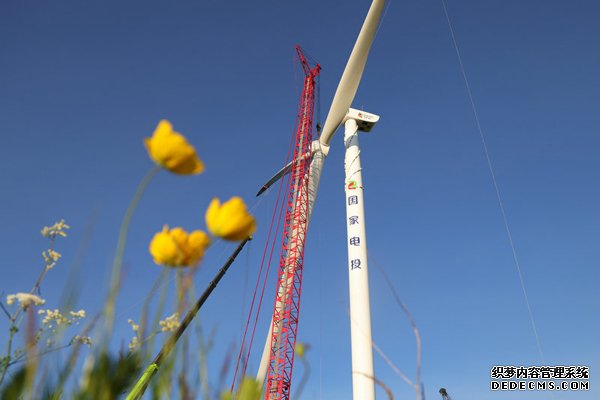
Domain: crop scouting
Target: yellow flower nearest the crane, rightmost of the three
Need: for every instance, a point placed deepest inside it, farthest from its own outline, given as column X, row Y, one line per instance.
column 231, row 220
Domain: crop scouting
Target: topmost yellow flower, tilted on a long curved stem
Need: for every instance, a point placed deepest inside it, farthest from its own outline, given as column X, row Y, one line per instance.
column 171, row 150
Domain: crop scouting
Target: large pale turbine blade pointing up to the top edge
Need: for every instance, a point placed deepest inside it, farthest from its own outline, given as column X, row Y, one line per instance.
column 352, row 73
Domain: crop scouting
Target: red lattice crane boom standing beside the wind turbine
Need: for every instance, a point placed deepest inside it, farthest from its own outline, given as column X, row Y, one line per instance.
column 291, row 261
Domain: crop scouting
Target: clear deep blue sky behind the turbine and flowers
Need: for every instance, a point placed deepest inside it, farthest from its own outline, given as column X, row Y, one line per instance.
column 81, row 84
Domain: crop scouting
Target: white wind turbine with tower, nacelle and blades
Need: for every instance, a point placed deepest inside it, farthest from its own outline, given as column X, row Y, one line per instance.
column 353, row 120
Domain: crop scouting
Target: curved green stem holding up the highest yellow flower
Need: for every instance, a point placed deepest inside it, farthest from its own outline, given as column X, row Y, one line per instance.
column 109, row 308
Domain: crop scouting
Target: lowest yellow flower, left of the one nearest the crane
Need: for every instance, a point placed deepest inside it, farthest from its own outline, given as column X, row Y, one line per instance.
column 177, row 248
